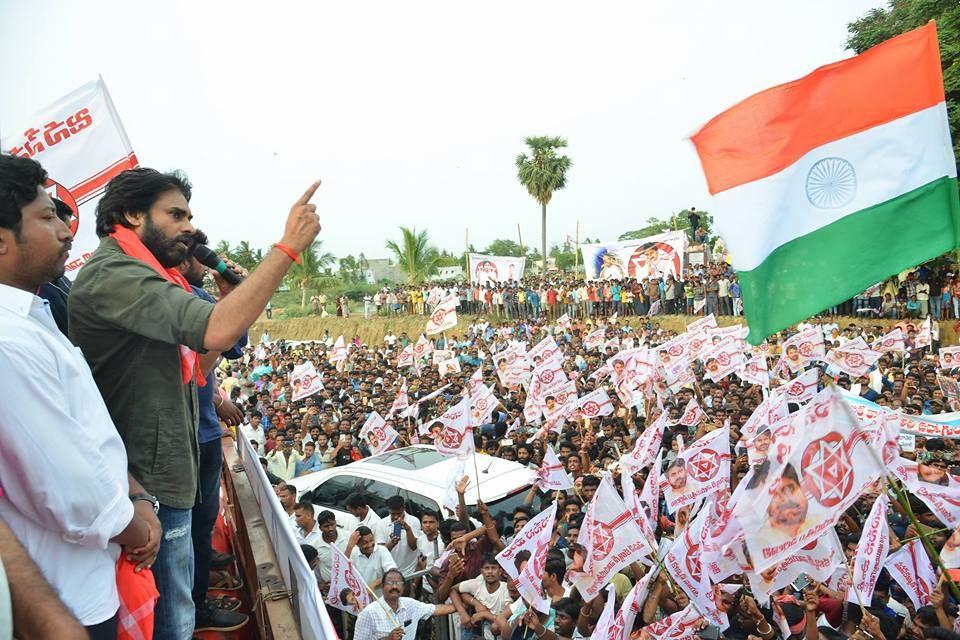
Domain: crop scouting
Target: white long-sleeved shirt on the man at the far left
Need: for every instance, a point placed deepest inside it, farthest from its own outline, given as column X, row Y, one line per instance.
column 63, row 467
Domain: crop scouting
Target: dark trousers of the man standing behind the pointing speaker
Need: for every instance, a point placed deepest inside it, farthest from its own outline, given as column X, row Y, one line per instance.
column 205, row 517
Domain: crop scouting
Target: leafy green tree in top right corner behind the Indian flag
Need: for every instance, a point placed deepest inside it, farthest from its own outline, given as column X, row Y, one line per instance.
column 903, row 15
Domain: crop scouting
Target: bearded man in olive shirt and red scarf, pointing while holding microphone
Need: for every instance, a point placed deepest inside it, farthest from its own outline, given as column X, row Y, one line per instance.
column 147, row 339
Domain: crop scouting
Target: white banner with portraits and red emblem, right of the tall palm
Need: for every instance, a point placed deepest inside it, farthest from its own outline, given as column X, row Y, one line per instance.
column 653, row 257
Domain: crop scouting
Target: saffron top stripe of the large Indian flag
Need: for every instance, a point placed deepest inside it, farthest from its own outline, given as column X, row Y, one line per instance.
column 771, row 130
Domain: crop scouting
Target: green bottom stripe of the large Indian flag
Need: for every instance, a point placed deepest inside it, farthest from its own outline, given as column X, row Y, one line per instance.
column 832, row 264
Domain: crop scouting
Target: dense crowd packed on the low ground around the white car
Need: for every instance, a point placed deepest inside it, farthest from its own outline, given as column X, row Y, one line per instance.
column 452, row 552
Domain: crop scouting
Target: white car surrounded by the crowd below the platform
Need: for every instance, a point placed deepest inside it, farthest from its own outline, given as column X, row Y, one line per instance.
column 423, row 477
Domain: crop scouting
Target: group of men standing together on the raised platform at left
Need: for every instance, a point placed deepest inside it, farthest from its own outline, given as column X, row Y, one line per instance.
column 111, row 436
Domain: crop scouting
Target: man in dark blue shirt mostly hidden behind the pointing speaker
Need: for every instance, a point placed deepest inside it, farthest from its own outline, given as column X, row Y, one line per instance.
column 212, row 407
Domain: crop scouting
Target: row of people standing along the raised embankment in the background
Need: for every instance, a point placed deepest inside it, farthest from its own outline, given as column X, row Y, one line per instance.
column 712, row 288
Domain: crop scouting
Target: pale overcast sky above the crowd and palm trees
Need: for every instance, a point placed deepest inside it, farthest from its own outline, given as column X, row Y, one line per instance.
column 412, row 113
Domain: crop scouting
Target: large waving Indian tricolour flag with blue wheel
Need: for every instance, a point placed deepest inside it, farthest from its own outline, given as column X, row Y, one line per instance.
column 828, row 184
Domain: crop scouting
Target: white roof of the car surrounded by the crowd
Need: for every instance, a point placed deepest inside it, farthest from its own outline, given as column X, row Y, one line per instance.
column 422, row 469
